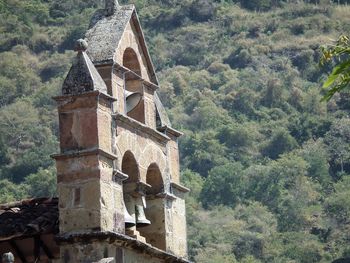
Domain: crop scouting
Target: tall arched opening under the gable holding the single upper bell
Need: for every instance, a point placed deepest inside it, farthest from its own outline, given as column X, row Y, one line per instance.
column 134, row 103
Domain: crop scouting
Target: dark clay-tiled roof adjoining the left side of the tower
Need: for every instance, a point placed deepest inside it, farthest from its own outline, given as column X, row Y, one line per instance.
column 28, row 218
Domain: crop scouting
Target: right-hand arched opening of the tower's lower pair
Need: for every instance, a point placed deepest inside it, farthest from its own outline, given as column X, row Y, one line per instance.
column 155, row 233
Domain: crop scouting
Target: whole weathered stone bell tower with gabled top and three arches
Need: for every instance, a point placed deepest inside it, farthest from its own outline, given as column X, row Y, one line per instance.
column 120, row 197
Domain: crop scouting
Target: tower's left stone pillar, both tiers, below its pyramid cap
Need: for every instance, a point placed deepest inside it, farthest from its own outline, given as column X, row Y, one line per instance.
column 89, row 197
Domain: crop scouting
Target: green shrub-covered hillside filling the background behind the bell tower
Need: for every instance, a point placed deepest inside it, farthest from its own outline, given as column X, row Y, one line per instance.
column 267, row 162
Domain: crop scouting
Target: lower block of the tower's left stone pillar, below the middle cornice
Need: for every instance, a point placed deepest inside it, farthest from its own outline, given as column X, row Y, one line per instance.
column 89, row 200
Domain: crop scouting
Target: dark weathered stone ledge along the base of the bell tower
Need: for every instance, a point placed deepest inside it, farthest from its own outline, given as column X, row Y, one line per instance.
column 120, row 240
